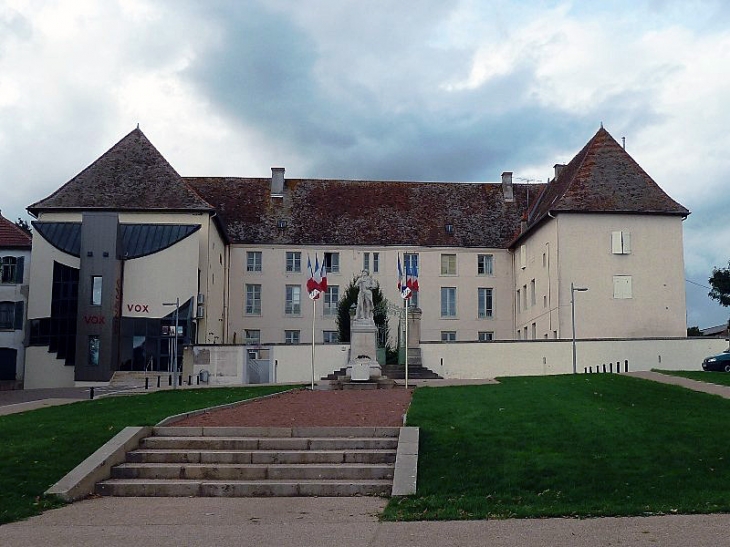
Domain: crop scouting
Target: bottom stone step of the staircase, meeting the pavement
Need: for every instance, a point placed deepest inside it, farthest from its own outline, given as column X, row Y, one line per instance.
column 283, row 488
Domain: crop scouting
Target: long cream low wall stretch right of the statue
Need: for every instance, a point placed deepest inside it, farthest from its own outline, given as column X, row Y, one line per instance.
column 536, row 358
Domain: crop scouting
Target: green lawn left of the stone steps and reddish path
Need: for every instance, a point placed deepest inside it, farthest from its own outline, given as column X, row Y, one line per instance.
column 41, row 446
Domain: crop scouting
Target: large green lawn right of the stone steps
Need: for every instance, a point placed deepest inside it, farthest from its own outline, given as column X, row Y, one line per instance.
column 584, row 445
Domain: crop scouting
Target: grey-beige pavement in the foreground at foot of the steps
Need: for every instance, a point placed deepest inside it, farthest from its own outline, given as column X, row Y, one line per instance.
column 340, row 522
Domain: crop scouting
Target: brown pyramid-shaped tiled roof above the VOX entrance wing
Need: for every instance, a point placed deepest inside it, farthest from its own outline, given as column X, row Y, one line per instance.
column 132, row 175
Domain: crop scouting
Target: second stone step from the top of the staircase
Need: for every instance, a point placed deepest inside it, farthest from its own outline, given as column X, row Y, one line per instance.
column 269, row 443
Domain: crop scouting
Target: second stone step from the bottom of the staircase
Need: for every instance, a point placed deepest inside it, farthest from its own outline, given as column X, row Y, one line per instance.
column 253, row 472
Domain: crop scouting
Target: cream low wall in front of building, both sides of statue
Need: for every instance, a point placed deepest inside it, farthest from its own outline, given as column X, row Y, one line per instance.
column 464, row 360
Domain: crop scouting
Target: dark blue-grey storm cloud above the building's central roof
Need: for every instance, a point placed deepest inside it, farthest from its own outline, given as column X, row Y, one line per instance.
column 264, row 72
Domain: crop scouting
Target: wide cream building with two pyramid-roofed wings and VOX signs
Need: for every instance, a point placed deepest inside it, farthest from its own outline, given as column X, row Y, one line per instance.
column 128, row 237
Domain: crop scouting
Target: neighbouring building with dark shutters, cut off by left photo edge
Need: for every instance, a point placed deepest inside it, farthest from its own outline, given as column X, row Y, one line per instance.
column 15, row 245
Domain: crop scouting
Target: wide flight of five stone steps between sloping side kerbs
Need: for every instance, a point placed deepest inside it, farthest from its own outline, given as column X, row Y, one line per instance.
column 258, row 462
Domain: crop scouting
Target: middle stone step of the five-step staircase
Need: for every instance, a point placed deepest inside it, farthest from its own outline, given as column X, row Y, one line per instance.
column 261, row 456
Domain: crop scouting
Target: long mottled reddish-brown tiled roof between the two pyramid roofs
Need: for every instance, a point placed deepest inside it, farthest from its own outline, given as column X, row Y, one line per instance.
column 345, row 212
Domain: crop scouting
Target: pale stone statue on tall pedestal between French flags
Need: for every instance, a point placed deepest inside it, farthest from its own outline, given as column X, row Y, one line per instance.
column 363, row 363
